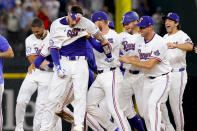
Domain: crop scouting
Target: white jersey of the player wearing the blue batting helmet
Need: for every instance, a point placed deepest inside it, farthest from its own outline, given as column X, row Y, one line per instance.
column 128, row 47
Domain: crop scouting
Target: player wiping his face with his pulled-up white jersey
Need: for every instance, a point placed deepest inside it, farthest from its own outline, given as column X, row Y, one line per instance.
column 68, row 51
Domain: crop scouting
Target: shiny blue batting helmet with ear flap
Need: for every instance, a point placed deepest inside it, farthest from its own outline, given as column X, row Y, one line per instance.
column 129, row 17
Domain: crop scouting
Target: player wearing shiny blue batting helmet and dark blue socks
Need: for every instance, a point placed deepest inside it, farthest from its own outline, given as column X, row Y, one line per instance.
column 133, row 77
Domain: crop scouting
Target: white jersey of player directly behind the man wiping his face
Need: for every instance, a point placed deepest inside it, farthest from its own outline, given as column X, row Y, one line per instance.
column 114, row 41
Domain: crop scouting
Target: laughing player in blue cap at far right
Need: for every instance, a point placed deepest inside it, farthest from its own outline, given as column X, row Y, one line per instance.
column 178, row 43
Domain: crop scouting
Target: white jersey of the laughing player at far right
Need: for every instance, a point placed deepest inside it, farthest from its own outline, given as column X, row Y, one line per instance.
column 177, row 57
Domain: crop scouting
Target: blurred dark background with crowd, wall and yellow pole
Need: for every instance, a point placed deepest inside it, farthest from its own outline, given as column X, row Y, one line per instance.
column 16, row 17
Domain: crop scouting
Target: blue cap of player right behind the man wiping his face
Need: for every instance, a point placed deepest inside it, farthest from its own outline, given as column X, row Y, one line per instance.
column 99, row 15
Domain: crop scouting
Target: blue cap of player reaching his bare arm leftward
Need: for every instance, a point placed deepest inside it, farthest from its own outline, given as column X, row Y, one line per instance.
column 145, row 21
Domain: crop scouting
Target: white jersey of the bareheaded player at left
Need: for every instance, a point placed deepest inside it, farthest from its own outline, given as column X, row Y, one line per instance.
column 34, row 45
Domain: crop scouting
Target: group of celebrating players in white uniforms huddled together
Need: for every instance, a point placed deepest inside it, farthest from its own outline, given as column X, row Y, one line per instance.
column 137, row 62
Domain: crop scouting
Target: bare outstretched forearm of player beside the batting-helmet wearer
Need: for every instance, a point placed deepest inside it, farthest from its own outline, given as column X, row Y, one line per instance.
column 136, row 62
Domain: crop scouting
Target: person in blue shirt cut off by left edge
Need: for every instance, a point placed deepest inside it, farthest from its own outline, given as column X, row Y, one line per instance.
column 5, row 52
